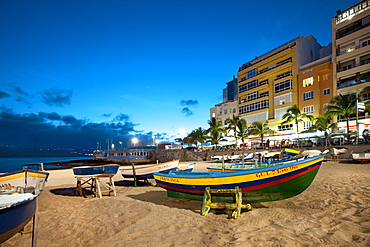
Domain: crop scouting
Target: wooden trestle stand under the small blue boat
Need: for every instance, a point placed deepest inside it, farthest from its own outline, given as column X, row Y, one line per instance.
column 94, row 182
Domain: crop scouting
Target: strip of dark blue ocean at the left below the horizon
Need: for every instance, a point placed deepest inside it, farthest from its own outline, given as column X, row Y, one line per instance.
column 11, row 164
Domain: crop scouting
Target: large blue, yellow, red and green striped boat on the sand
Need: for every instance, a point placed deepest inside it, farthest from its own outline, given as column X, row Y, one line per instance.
column 257, row 185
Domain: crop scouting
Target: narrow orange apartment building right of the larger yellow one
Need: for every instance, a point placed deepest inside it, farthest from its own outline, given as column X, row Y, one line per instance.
column 315, row 85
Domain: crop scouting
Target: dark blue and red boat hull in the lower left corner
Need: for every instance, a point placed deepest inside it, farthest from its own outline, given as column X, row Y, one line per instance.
column 14, row 218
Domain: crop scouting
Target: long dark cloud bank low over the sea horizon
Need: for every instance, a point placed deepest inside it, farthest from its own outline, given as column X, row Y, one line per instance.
column 59, row 131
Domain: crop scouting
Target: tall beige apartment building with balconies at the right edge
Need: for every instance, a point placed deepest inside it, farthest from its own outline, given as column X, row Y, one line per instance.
column 351, row 55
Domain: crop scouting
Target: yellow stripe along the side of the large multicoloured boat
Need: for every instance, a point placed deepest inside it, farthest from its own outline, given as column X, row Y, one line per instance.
column 236, row 179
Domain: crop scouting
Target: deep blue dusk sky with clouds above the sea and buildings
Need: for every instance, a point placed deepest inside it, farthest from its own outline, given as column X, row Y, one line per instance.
column 77, row 72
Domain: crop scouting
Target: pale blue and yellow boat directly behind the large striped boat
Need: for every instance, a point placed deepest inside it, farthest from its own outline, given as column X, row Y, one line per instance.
column 250, row 165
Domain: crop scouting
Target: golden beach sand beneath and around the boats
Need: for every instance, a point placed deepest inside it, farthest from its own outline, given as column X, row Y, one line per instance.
column 333, row 211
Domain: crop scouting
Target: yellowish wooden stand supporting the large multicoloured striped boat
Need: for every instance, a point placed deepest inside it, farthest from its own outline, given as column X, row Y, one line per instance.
column 237, row 206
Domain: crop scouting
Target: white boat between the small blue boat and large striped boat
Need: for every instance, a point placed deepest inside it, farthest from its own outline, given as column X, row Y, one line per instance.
column 146, row 171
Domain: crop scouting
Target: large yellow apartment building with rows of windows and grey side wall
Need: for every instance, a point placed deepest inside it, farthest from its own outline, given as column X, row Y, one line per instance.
column 268, row 84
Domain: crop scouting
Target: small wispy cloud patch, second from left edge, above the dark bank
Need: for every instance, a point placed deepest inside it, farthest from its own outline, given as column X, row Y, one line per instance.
column 57, row 97
